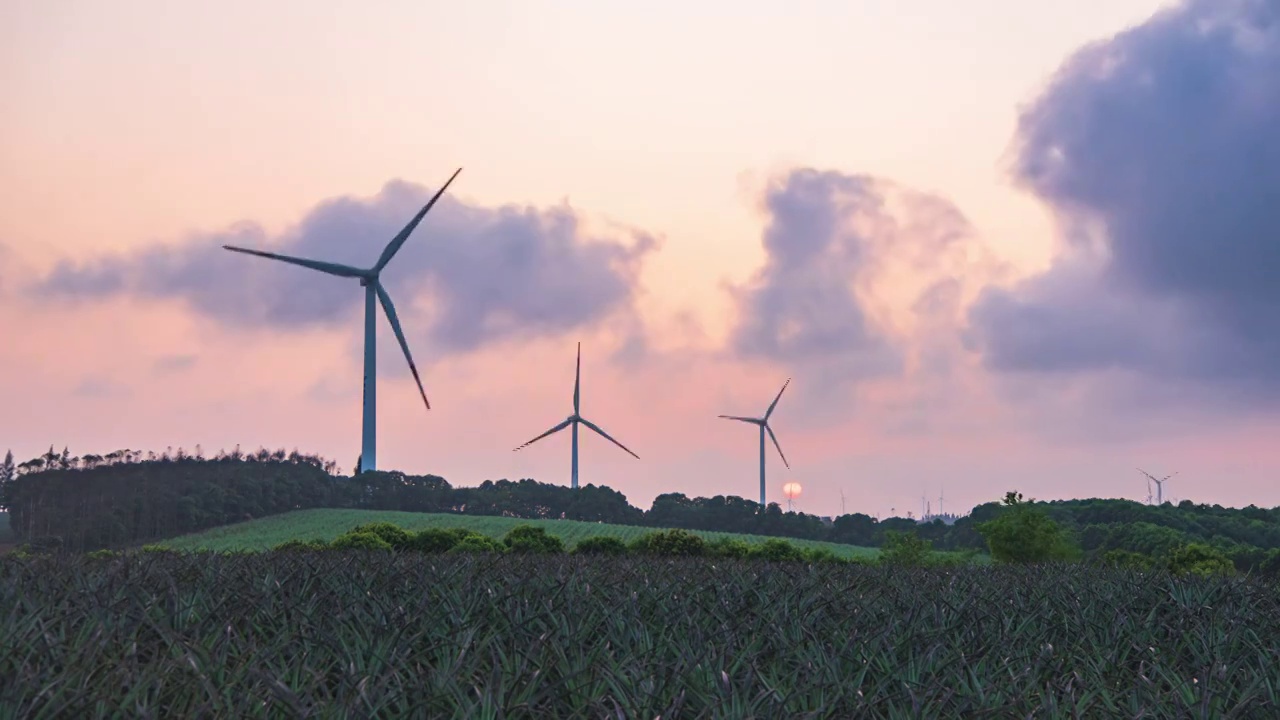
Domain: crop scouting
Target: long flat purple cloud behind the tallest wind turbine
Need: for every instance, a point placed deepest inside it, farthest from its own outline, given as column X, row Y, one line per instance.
column 482, row 274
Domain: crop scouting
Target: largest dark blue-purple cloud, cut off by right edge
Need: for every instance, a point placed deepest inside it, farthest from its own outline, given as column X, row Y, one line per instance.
column 1159, row 152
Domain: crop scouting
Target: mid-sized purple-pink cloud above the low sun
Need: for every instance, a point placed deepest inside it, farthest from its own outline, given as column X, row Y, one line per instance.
column 830, row 238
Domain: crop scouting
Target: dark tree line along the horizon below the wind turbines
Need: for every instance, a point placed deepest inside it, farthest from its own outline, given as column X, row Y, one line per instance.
column 130, row 498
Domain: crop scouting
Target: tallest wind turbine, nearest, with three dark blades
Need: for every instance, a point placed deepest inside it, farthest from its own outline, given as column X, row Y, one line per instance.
column 374, row 294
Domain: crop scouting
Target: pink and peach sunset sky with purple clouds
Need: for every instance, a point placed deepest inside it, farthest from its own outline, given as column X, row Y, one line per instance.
column 995, row 245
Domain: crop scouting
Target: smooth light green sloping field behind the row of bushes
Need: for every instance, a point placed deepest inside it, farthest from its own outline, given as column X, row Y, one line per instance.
column 328, row 525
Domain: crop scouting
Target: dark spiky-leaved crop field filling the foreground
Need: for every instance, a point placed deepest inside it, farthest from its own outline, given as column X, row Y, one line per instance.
column 339, row 635
